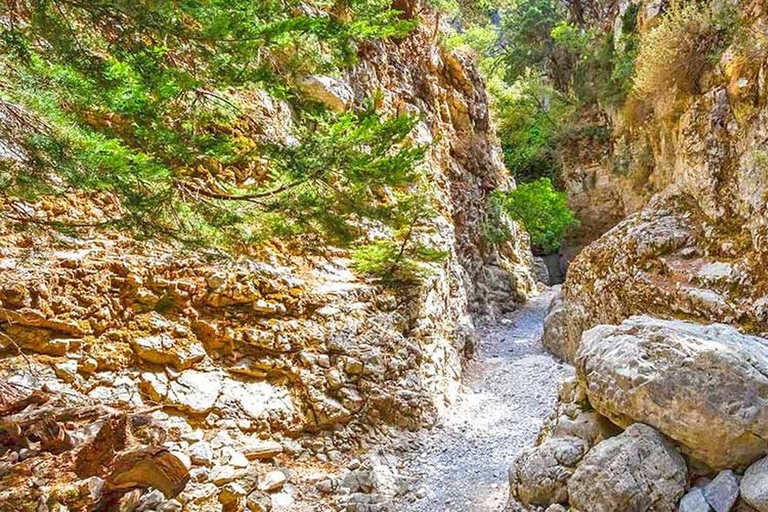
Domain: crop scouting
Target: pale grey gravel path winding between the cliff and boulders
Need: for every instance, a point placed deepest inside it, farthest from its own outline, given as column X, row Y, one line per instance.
column 510, row 388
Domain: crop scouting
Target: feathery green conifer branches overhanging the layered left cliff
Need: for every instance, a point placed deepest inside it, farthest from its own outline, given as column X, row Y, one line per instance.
column 150, row 101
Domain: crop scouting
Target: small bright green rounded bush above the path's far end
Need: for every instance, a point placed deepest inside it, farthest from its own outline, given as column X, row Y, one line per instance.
column 542, row 210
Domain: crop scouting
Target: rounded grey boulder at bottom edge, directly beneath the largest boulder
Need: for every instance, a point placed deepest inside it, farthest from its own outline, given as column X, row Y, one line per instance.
column 638, row 470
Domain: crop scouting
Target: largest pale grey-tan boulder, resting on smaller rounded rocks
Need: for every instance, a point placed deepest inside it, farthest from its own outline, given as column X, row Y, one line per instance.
column 706, row 387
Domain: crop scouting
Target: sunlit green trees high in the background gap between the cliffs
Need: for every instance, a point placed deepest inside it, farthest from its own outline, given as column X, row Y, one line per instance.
column 543, row 65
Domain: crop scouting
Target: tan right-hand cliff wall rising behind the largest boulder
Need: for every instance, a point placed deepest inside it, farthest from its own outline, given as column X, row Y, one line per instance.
column 695, row 185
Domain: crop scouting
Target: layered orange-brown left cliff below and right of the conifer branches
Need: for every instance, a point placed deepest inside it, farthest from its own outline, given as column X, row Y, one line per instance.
column 281, row 347
